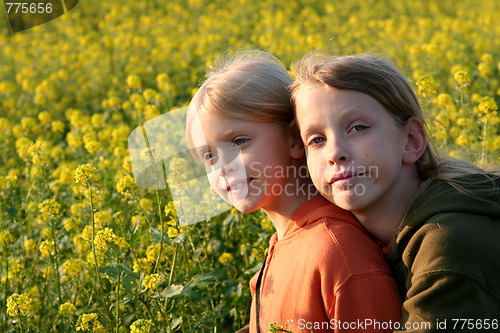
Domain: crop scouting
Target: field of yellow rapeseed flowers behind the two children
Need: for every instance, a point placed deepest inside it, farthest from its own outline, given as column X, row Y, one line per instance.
column 83, row 248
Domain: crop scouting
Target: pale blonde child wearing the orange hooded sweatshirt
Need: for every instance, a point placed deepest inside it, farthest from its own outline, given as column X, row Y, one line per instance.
column 323, row 270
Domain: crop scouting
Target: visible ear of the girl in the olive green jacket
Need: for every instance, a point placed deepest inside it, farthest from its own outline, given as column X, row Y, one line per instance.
column 416, row 140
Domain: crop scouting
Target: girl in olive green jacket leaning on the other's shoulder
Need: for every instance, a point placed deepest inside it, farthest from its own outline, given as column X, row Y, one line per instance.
column 367, row 152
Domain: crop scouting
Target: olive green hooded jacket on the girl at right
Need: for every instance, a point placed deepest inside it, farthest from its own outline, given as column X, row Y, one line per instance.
column 446, row 258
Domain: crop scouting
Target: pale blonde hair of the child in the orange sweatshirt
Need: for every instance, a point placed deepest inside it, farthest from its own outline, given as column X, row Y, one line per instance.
column 249, row 86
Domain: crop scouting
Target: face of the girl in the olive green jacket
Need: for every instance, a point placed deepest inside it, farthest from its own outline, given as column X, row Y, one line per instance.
column 354, row 148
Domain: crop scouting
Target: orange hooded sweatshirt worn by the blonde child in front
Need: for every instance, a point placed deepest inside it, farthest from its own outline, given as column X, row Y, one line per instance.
column 326, row 274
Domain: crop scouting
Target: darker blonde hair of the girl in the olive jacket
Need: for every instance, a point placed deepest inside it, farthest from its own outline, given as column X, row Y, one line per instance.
column 380, row 79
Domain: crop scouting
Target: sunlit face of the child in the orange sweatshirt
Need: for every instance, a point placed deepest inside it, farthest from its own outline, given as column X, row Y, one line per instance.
column 244, row 160
